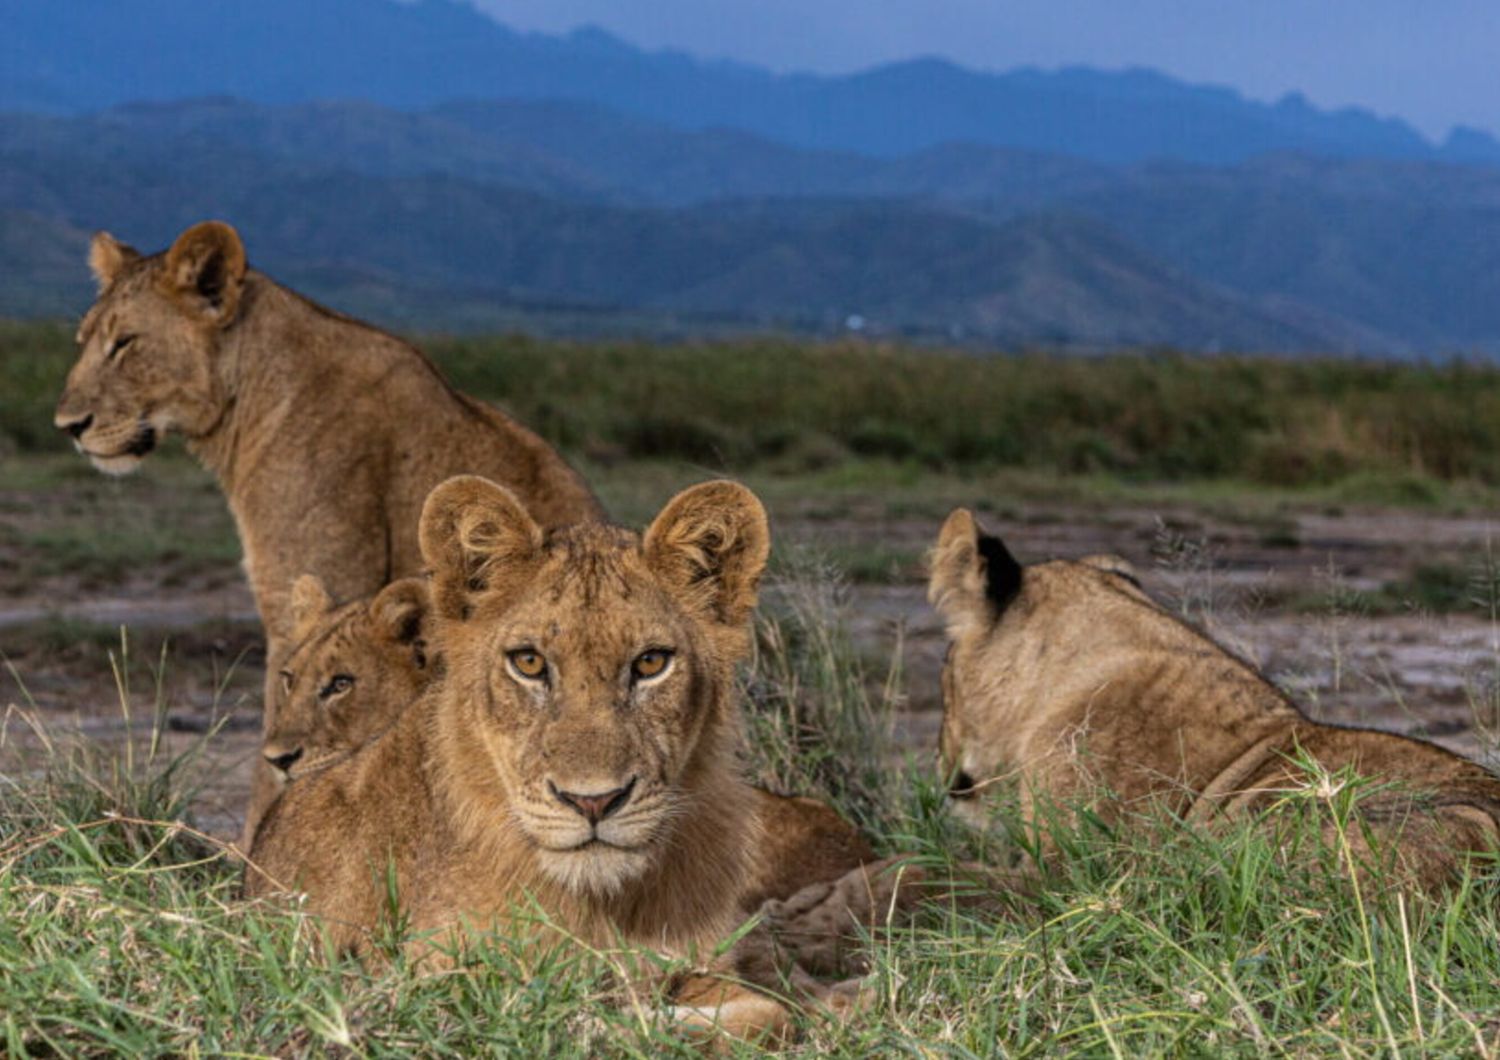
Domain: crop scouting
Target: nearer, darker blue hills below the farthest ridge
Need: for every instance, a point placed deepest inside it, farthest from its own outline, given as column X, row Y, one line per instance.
column 460, row 214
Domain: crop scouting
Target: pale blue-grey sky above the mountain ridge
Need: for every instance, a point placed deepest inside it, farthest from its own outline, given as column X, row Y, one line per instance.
column 1430, row 62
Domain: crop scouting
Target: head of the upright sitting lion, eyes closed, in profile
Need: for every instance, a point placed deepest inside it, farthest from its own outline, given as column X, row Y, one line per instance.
column 148, row 347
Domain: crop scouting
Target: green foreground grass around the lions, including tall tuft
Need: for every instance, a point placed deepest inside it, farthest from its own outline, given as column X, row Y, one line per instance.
column 122, row 930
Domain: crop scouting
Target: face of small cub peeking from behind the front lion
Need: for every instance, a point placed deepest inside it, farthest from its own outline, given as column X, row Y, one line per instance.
column 353, row 672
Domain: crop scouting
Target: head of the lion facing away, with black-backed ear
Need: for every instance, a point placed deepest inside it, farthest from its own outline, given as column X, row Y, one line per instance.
column 1004, row 645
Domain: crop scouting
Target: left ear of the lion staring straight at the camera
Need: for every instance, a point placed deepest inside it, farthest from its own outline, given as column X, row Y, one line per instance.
column 473, row 536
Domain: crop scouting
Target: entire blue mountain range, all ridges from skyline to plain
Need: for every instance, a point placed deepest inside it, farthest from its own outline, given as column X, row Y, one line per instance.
column 425, row 166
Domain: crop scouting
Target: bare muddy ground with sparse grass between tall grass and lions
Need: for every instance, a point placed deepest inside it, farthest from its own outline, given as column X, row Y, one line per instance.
column 1372, row 617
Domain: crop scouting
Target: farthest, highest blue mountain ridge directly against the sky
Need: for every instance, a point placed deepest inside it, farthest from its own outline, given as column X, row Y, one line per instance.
column 85, row 55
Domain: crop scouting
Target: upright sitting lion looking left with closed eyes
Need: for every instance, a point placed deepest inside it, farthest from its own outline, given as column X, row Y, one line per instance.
column 325, row 433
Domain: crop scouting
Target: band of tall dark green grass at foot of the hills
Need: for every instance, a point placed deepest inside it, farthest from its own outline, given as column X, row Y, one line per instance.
column 1337, row 431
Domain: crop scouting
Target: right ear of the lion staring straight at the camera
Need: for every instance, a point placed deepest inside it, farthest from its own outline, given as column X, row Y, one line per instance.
column 710, row 545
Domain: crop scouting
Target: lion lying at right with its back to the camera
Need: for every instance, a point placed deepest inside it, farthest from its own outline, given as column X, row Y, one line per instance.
column 1066, row 680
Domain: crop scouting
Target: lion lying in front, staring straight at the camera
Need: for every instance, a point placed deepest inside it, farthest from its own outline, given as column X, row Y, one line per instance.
column 578, row 752
